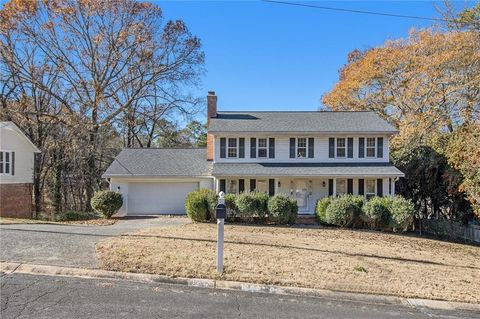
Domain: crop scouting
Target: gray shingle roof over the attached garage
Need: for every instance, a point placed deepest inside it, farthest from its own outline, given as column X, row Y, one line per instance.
column 182, row 162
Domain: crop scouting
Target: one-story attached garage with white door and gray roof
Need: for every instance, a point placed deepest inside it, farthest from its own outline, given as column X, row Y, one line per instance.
column 156, row 181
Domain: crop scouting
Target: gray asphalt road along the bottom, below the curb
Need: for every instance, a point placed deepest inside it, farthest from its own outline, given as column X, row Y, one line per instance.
column 34, row 296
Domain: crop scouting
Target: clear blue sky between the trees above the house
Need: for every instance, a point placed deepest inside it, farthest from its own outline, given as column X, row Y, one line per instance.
column 264, row 56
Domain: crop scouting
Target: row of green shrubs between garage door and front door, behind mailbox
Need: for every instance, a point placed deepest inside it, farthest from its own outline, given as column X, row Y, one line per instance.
column 250, row 207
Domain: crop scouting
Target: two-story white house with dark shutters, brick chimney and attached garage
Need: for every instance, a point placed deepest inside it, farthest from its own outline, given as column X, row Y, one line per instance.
column 306, row 155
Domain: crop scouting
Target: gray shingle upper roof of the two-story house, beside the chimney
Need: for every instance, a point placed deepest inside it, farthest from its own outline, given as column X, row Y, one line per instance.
column 299, row 122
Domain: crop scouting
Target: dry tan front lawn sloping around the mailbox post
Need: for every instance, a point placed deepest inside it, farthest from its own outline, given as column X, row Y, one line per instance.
column 326, row 258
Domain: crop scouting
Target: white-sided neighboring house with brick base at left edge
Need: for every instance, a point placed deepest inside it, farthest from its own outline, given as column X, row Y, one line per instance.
column 17, row 156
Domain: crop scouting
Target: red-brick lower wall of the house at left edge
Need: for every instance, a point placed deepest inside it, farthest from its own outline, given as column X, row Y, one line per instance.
column 16, row 200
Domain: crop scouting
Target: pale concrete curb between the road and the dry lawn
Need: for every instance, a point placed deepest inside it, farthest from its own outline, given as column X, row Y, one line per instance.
column 12, row 267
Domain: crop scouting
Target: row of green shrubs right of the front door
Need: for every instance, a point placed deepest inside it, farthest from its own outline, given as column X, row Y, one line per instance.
column 379, row 212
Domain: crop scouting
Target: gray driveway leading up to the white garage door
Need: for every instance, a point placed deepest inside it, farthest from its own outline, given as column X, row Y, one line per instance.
column 67, row 245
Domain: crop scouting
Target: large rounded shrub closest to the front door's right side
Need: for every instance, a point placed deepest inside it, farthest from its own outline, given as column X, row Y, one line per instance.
column 344, row 210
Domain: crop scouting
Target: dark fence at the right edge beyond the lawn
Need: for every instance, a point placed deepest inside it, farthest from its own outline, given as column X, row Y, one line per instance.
column 451, row 229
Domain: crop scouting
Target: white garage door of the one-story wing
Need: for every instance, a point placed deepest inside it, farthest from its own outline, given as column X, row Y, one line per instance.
column 158, row 198
